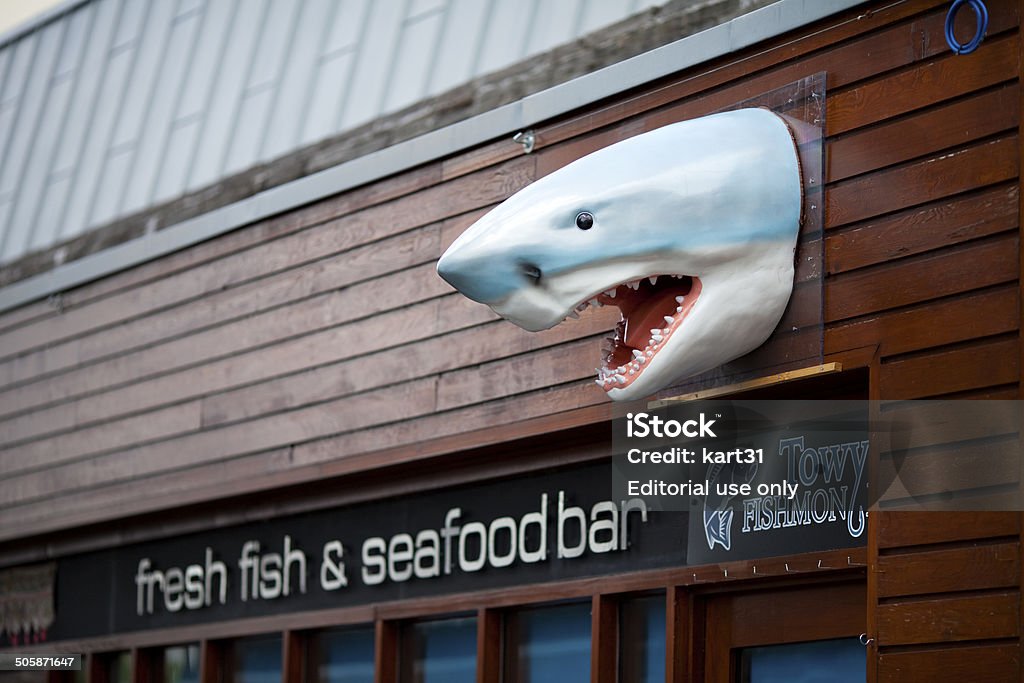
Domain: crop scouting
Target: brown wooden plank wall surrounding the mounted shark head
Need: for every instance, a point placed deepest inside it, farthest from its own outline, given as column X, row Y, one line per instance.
column 322, row 343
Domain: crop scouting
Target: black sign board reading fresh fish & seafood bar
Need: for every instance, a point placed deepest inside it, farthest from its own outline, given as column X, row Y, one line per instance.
column 545, row 527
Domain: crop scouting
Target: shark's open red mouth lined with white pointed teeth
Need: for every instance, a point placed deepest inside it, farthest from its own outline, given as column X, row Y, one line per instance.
column 653, row 310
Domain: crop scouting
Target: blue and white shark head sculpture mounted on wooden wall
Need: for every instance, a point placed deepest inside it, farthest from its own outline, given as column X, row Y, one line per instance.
column 690, row 230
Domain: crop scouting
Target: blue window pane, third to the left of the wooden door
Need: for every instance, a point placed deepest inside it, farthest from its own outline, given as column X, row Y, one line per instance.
column 440, row 652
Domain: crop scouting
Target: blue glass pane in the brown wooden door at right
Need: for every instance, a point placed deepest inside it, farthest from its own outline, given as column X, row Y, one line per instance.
column 842, row 661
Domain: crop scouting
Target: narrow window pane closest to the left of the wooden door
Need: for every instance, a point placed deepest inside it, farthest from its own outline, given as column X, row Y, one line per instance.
column 642, row 633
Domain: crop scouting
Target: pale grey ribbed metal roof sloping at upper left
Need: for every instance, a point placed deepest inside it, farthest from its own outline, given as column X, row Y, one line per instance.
column 109, row 107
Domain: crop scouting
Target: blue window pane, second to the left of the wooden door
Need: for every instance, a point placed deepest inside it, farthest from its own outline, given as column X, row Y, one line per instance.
column 548, row 645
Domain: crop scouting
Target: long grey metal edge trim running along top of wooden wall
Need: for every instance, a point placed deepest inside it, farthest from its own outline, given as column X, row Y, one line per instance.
column 737, row 34
